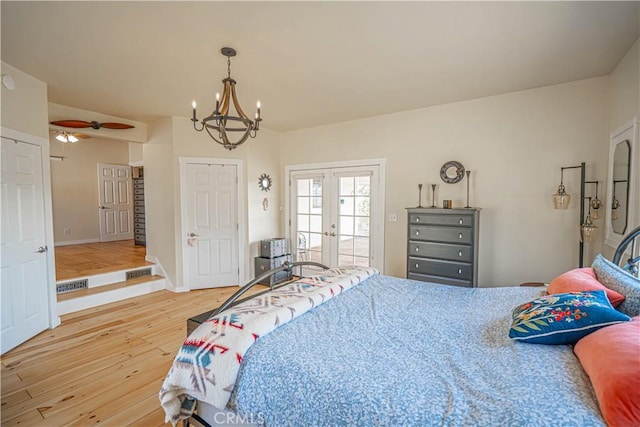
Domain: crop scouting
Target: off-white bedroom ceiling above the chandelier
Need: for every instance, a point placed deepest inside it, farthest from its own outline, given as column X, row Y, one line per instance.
column 310, row 63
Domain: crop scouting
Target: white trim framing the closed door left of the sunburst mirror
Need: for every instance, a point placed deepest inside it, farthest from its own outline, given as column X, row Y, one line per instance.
column 243, row 248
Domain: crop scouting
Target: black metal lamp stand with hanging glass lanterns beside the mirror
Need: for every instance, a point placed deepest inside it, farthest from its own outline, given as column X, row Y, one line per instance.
column 561, row 200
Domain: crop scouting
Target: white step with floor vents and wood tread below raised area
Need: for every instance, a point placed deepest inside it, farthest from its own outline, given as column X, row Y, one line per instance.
column 92, row 291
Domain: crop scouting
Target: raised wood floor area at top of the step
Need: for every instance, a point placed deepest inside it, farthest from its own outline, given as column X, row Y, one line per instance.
column 97, row 258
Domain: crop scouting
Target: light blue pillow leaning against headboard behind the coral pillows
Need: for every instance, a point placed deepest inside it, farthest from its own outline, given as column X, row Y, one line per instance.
column 616, row 279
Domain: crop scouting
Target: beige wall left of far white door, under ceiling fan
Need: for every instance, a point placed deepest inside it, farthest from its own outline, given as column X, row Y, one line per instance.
column 74, row 186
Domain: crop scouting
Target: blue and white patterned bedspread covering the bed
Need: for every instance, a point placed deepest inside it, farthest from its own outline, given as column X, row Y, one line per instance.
column 398, row 352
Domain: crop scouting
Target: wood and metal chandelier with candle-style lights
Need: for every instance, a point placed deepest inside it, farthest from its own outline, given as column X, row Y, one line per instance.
column 226, row 129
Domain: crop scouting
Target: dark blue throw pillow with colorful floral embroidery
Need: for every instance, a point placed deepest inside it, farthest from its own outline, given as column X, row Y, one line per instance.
column 563, row 318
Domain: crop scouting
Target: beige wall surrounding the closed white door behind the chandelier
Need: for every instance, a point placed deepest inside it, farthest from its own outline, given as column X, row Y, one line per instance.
column 171, row 139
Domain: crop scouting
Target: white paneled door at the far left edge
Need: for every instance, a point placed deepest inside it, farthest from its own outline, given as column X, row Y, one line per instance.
column 24, row 294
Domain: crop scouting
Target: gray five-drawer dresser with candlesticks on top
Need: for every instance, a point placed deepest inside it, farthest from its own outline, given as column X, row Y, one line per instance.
column 443, row 245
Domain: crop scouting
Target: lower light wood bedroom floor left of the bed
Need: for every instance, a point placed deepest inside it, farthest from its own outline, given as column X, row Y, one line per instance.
column 103, row 365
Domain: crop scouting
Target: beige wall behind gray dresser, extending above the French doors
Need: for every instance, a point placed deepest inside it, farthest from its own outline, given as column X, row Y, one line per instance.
column 514, row 144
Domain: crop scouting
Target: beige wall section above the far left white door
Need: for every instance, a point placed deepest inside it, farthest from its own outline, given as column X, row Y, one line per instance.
column 25, row 108
